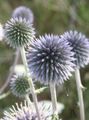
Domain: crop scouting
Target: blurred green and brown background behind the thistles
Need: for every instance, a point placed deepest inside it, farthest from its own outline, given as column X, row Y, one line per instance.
column 51, row 16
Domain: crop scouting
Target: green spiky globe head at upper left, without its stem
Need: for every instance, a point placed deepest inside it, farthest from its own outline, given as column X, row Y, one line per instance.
column 18, row 32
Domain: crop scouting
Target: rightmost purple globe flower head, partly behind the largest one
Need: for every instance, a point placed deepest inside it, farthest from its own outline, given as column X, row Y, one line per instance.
column 80, row 45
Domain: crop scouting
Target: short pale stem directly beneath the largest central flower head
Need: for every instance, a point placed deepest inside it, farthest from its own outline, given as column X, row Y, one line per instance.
column 53, row 97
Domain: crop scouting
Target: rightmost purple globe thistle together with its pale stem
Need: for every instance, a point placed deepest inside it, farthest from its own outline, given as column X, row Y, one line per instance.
column 80, row 45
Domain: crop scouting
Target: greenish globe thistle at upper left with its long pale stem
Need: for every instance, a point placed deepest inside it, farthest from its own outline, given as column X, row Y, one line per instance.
column 19, row 33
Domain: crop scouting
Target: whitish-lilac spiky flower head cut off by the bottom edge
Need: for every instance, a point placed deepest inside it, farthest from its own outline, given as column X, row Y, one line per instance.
column 25, row 112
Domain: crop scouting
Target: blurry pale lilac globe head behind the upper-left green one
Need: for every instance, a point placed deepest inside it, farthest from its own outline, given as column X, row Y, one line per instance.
column 23, row 12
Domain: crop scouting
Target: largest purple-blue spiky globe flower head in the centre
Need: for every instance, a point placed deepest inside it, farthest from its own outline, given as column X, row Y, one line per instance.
column 50, row 59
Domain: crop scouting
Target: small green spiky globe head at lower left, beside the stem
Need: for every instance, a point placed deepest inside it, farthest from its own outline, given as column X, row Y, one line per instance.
column 19, row 85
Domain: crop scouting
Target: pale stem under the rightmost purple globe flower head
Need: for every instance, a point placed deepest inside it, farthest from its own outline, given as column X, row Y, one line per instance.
column 80, row 93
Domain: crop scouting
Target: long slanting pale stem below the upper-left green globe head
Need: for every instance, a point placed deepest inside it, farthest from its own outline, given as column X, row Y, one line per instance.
column 30, row 82
